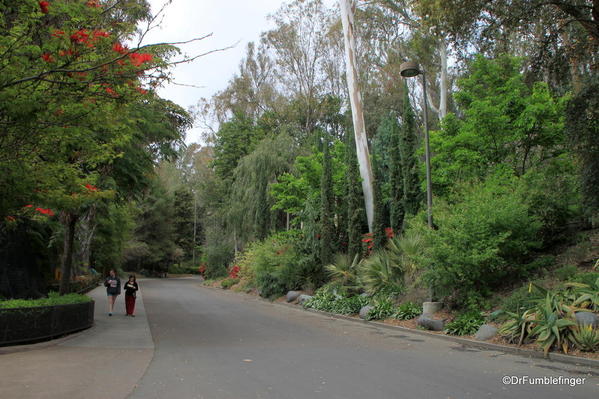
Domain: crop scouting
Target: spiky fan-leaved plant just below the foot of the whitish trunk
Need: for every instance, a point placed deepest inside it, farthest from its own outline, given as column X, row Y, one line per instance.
column 380, row 274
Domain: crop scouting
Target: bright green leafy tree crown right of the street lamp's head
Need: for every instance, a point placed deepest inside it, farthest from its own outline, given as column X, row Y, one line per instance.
column 506, row 125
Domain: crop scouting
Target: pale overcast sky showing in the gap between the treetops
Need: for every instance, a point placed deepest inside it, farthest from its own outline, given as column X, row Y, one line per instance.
column 230, row 21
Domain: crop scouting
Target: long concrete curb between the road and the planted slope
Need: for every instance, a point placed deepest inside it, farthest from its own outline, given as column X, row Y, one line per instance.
column 557, row 357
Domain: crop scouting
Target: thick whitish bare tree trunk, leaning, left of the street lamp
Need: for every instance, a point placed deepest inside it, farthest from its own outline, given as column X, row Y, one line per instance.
column 347, row 19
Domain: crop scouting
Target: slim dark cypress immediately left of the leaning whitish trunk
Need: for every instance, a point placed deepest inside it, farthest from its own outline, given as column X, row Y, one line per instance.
column 355, row 210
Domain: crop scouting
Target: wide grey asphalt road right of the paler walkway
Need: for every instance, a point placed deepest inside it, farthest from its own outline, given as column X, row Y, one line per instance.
column 218, row 345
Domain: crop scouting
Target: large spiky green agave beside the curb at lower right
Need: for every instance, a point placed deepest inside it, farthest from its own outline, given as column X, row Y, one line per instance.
column 550, row 329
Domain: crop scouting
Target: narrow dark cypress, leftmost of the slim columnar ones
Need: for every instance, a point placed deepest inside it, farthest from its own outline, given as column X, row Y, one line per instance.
column 327, row 228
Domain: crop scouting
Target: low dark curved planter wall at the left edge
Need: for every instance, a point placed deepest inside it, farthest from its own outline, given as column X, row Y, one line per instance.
column 21, row 325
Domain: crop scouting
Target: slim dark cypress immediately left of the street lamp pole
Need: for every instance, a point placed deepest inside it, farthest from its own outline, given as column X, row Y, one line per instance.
column 412, row 194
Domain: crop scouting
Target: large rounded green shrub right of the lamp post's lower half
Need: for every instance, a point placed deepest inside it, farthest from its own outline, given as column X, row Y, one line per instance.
column 481, row 240
